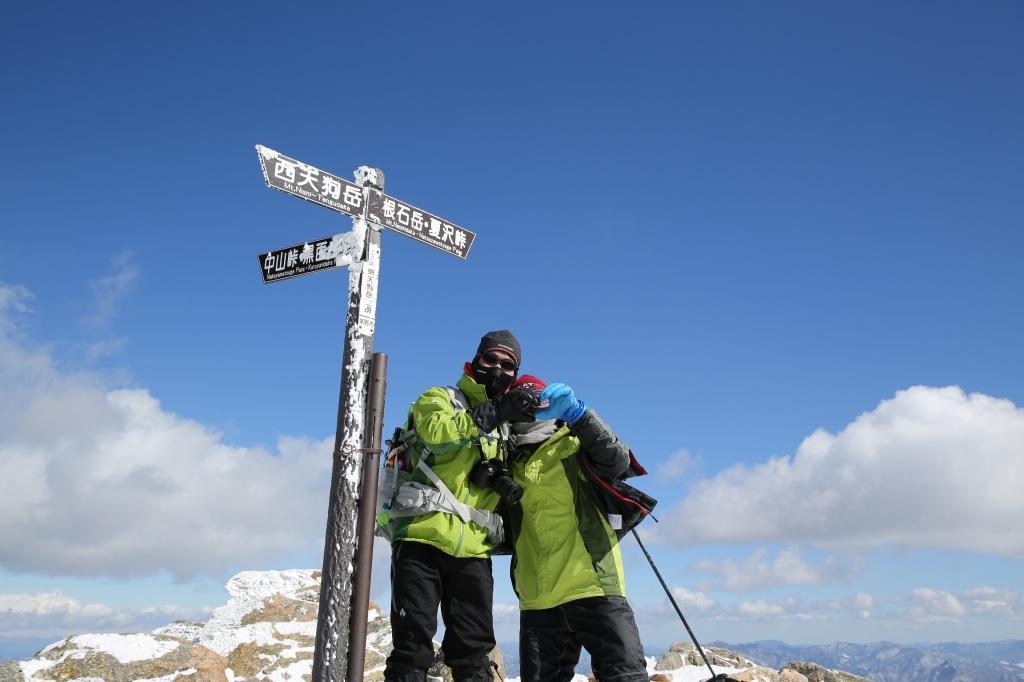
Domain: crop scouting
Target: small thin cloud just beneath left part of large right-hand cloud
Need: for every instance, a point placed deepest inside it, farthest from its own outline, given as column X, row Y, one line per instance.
column 788, row 568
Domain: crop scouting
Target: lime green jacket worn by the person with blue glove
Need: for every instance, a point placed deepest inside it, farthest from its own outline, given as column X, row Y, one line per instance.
column 565, row 548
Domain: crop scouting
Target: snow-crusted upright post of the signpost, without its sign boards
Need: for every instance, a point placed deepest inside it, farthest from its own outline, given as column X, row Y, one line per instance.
column 331, row 654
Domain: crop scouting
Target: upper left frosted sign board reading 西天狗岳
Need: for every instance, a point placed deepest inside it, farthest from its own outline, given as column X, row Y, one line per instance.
column 305, row 182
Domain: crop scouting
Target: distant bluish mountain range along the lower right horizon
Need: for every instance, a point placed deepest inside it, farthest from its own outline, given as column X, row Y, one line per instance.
column 885, row 662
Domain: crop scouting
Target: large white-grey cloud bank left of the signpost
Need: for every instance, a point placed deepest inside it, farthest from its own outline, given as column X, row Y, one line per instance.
column 108, row 483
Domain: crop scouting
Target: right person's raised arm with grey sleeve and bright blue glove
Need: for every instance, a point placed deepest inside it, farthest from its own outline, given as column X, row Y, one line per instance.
column 608, row 453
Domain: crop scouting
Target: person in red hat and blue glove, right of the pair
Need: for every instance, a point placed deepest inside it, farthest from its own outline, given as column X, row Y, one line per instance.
column 567, row 568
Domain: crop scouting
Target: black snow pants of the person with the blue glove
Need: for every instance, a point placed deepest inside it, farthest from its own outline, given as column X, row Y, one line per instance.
column 550, row 641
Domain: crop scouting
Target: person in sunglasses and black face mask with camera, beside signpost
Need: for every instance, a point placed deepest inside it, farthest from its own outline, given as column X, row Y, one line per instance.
column 443, row 532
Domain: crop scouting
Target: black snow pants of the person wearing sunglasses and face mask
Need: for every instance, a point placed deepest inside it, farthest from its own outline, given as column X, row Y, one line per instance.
column 422, row 578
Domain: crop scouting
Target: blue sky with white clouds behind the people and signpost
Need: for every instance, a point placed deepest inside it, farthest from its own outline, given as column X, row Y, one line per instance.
column 728, row 226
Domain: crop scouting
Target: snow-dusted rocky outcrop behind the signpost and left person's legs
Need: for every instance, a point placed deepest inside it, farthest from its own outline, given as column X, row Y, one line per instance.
column 266, row 632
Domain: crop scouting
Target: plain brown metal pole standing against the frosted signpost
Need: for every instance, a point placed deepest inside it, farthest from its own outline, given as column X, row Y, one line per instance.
column 368, row 521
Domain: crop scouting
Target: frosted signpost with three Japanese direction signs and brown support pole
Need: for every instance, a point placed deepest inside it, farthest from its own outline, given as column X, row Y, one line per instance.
column 342, row 624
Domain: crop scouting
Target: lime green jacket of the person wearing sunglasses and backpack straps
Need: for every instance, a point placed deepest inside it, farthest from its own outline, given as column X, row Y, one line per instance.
column 456, row 446
